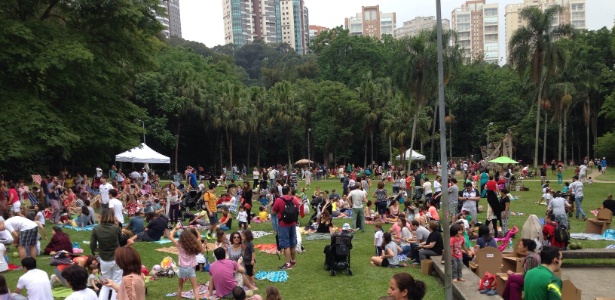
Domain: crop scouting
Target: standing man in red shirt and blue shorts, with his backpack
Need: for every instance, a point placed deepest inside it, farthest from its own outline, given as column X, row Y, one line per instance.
column 287, row 234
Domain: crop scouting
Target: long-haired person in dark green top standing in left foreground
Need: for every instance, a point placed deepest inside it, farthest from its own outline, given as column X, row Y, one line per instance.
column 104, row 242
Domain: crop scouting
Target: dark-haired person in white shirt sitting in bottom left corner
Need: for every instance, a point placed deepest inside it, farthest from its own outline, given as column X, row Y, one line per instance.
column 35, row 282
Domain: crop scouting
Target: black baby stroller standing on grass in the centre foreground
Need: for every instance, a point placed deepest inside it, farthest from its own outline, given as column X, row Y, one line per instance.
column 337, row 255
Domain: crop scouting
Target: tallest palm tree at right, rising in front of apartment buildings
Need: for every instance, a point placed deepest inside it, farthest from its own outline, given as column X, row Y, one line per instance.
column 533, row 46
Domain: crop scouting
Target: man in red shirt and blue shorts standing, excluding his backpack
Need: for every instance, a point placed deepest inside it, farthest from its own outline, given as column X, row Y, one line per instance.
column 287, row 233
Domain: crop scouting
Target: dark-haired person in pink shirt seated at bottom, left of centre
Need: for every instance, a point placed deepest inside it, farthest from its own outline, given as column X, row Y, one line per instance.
column 222, row 274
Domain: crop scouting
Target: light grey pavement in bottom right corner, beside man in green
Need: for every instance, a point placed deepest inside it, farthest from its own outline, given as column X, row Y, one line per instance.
column 591, row 281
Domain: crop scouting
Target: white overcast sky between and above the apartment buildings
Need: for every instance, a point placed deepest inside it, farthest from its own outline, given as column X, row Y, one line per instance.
column 202, row 19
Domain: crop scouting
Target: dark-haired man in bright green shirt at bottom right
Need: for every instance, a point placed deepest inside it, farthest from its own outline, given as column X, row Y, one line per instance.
column 541, row 282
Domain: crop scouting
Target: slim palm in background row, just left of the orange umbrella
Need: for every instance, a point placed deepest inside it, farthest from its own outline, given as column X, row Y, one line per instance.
column 286, row 111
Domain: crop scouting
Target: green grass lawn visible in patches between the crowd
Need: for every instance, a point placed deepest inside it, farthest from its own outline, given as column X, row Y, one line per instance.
column 309, row 280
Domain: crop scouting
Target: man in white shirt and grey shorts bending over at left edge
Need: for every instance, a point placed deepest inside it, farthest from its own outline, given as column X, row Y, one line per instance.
column 25, row 234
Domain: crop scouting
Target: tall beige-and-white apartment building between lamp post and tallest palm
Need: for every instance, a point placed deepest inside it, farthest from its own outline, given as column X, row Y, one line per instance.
column 477, row 27
